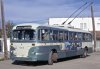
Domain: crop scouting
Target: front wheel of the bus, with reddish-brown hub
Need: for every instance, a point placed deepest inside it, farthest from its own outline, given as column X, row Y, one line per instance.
column 52, row 57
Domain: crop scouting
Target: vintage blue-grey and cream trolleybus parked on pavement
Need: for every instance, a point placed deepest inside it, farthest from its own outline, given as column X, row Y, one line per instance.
column 33, row 42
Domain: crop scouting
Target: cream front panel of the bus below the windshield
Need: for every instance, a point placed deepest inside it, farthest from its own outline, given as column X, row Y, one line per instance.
column 21, row 49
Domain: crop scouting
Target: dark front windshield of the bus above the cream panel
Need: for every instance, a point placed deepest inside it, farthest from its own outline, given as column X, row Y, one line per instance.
column 25, row 34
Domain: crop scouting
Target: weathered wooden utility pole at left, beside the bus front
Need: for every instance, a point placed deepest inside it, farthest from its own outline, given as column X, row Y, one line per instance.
column 4, row 31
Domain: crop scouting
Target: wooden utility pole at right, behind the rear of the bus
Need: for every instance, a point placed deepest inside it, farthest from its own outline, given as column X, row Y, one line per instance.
column 93, row 25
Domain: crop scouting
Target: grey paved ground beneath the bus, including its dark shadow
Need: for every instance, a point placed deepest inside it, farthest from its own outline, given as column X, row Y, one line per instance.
column 91, row 62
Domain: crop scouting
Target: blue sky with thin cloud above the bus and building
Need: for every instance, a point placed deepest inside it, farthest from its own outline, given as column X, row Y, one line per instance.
column 20, row 11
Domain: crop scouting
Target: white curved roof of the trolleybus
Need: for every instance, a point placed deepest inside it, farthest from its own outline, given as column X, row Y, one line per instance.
column 34, row 26
